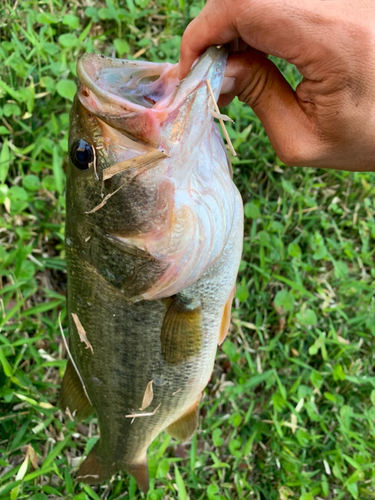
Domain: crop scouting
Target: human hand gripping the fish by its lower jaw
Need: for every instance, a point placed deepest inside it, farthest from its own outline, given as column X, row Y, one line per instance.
column 329, row 121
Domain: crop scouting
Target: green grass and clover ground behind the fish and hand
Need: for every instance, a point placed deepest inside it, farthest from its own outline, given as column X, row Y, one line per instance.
column 290, row 409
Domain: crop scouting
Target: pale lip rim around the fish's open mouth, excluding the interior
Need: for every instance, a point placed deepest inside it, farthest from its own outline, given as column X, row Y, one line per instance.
column 89, row 66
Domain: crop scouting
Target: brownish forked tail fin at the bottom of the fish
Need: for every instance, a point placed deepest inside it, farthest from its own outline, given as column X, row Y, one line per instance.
column 95, row 470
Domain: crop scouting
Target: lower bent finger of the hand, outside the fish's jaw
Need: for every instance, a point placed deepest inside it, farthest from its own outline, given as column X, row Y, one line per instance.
column 259, row 83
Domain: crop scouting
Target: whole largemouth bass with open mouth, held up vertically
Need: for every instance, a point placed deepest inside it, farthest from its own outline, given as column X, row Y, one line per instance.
column 154, row 232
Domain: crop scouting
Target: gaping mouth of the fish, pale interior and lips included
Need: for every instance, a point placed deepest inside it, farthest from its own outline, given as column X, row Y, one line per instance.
column 143, row 85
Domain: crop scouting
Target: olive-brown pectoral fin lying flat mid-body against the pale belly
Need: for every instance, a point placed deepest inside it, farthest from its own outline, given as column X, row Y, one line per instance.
column 181, row 333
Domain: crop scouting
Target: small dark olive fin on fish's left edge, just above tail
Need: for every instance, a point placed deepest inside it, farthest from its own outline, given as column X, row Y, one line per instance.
column 72, row 395
